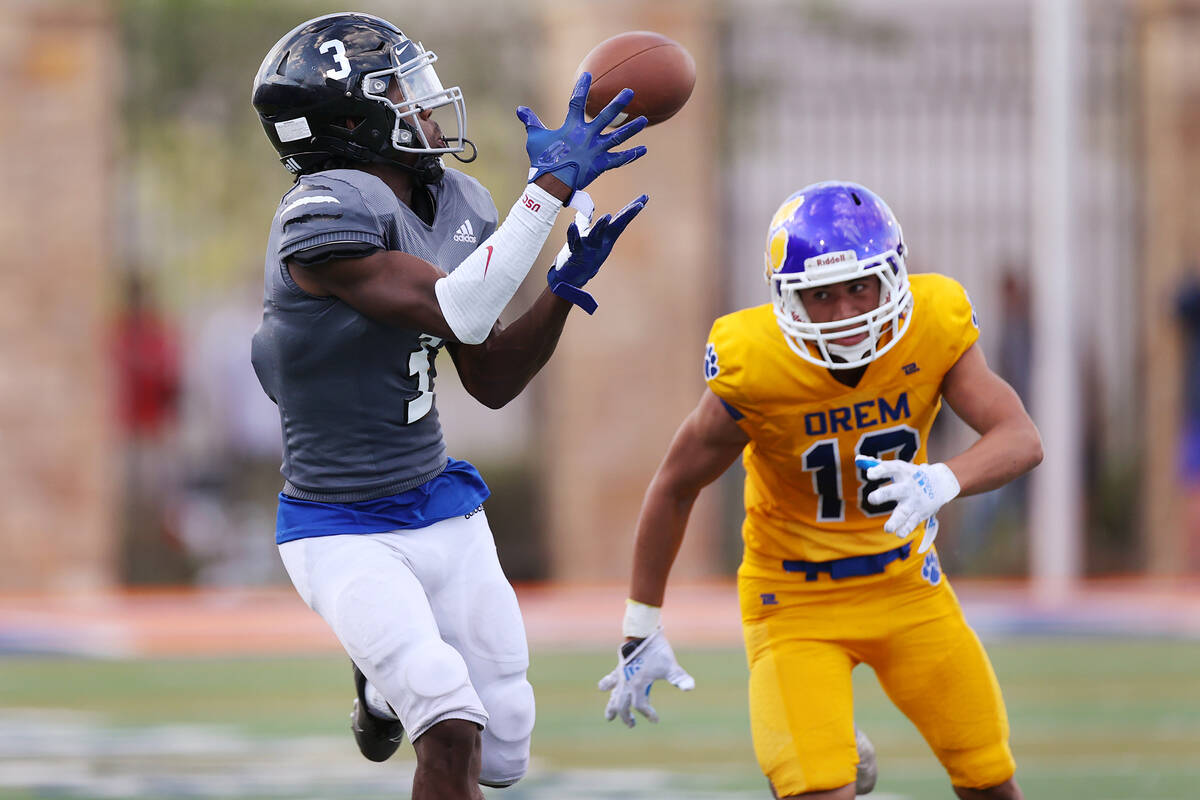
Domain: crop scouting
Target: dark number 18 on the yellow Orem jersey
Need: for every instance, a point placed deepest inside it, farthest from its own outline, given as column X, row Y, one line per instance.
column 825, row 462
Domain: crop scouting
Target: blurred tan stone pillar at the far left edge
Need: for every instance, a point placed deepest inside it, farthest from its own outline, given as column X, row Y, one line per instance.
column 57, row 460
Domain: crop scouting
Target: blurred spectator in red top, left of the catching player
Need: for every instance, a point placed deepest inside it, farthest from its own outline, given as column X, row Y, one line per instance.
column 146, row 360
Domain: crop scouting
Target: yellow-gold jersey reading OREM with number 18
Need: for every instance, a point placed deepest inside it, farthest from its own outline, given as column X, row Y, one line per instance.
column 805, row 497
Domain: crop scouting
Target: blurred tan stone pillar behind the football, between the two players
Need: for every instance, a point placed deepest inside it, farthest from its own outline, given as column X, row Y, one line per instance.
column 623, row 381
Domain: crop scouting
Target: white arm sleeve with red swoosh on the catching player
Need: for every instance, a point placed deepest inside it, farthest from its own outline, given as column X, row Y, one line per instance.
column 476, row 293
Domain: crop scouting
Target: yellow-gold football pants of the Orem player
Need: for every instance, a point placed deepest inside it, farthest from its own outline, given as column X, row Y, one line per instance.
column 803, row 639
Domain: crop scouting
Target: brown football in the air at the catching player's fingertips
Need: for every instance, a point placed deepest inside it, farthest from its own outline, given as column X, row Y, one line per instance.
column 659, row 70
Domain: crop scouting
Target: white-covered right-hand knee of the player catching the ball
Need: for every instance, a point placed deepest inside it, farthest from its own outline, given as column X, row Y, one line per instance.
column 506, row 741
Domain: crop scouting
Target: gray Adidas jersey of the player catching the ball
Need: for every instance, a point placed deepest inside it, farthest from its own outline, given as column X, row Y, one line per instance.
column 356, row 396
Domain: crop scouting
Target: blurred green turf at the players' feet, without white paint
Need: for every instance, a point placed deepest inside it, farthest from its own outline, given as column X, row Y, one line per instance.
column 1097, row 719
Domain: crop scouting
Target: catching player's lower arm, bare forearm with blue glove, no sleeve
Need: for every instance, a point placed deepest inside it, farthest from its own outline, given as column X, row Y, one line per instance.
column 500, row 369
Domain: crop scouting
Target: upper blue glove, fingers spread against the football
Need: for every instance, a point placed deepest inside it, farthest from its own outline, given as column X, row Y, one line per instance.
column 578, row 152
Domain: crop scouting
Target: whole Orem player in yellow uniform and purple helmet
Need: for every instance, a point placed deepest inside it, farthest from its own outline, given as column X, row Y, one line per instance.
column 829, row 393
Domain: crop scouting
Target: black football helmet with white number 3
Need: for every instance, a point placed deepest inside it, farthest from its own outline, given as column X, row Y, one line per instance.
column 323, row 93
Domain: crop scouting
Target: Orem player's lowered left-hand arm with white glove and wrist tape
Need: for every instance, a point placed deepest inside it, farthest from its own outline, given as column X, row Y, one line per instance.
column 704, row 448
